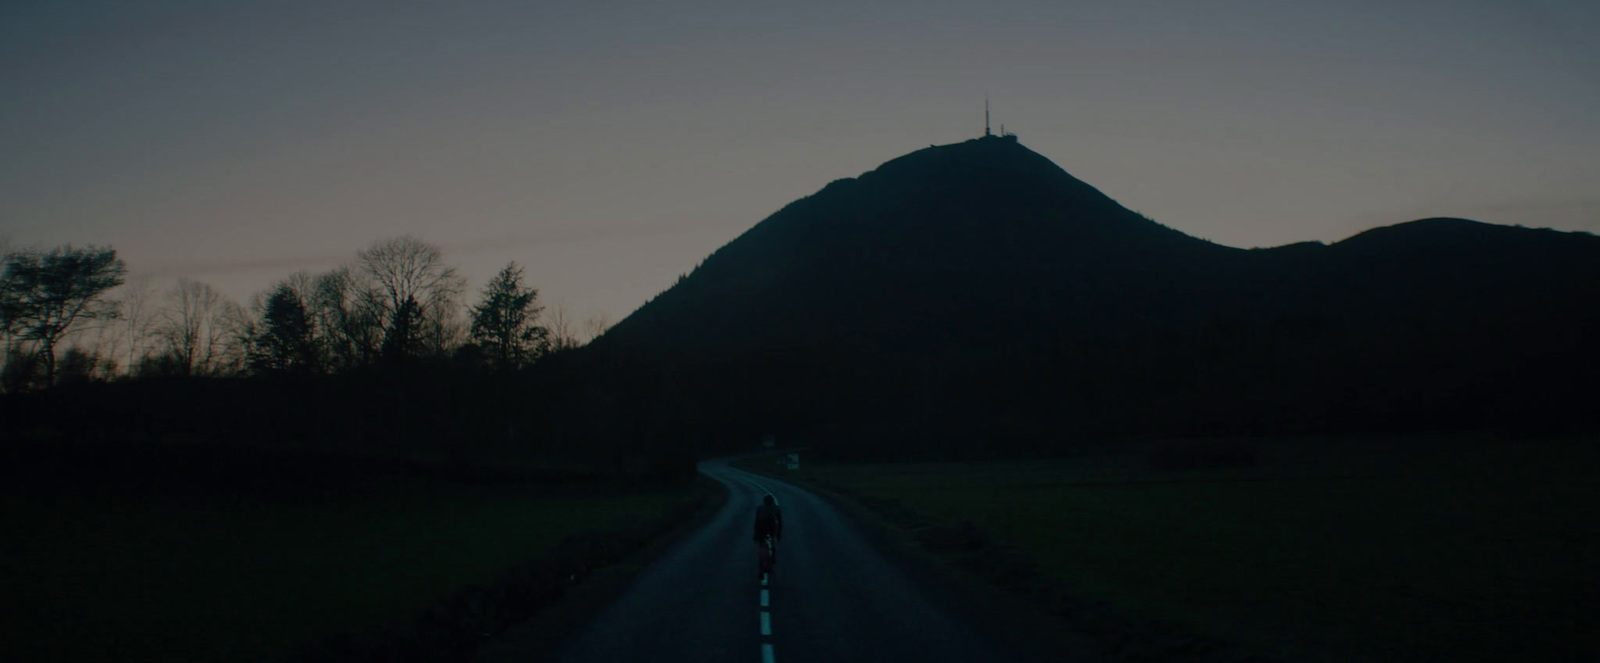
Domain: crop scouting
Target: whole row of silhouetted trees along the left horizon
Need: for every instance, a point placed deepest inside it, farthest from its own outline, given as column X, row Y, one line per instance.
column 71, row 315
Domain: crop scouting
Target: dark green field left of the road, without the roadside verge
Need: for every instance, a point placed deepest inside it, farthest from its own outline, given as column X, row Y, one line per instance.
column 132, row 576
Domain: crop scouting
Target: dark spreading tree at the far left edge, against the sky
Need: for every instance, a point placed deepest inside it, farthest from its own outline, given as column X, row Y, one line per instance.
column 47, row 294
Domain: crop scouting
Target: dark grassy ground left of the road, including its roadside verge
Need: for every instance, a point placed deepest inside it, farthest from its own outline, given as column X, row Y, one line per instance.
column 116, row 571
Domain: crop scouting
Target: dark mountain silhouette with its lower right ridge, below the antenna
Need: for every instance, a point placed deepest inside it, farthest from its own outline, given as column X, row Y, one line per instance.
column 977, row 299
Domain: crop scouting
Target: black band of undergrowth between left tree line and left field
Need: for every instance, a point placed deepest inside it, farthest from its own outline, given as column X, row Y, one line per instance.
column 439, row 414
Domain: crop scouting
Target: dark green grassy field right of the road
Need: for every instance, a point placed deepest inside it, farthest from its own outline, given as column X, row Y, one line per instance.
column 1388, row 550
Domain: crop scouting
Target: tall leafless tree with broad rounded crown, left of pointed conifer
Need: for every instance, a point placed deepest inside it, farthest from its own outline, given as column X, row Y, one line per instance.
column 407, row 270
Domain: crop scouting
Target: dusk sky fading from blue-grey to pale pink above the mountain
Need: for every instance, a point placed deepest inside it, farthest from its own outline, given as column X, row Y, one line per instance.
column 610, row 147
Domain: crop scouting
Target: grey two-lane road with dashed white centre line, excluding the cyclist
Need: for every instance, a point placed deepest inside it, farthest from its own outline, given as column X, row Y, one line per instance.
column 833, row 598
